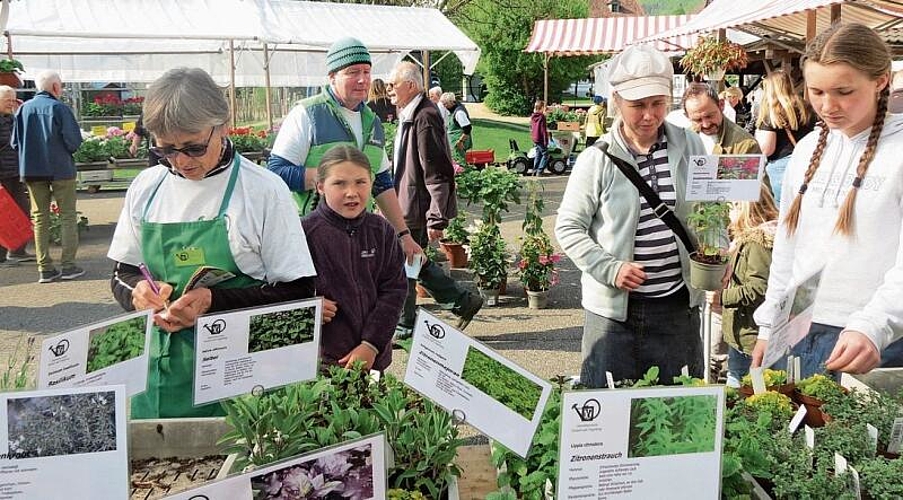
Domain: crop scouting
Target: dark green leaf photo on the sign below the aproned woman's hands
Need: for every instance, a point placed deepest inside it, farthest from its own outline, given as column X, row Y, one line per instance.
column 281, row 328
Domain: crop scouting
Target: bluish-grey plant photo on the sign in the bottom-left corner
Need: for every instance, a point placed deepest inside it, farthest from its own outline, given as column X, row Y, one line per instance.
column 68, row 424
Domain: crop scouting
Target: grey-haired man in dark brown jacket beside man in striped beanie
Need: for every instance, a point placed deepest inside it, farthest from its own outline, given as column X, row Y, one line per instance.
column 425, row 181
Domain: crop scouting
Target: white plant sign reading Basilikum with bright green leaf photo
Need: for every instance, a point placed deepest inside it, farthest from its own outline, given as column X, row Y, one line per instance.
column 107, row 353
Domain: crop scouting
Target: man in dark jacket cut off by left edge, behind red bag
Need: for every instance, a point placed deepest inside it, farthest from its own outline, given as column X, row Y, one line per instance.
column 9, row 172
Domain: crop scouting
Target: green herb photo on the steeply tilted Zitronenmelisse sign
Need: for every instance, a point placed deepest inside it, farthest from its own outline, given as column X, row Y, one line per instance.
column 501, row 383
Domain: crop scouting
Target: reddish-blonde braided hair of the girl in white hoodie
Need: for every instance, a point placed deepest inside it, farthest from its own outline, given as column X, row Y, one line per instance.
column 863, row 50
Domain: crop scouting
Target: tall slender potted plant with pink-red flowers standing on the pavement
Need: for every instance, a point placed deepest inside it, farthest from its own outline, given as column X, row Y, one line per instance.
column 536, row 267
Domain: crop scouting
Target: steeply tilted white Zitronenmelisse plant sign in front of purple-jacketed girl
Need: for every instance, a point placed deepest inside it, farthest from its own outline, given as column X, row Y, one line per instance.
column 475, row 384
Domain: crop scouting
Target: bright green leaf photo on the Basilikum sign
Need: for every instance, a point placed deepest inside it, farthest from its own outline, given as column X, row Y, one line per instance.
column 116, row 343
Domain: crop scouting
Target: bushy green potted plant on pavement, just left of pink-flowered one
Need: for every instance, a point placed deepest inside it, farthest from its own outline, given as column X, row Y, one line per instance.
column 488, row 260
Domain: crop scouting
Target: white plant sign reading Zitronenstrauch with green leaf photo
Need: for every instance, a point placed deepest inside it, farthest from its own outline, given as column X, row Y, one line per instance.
column 641, row 443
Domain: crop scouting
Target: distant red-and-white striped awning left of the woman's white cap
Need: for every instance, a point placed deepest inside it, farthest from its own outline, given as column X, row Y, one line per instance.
column 605, row 35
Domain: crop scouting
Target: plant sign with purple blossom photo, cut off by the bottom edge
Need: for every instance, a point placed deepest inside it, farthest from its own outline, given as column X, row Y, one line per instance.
column 354, row 469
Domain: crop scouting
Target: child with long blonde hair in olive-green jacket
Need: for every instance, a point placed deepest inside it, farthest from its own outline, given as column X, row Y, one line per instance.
column 752, row 229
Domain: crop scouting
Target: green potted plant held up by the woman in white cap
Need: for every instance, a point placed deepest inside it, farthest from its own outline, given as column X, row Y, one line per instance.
column 709, row 221
